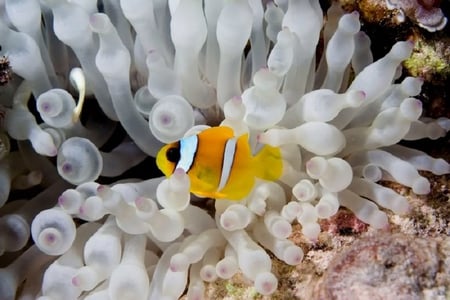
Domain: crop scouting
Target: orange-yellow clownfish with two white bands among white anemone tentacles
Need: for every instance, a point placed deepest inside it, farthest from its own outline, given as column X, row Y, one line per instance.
column 219, row 164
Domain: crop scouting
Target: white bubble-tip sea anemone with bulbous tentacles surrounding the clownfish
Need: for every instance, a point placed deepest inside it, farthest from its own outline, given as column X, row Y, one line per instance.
column 168, row 69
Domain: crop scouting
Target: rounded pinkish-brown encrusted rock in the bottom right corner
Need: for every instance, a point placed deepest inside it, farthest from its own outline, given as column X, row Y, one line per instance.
column 386, row 266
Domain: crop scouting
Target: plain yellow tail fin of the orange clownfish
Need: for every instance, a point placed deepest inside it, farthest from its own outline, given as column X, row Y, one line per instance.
column 268, row 163
